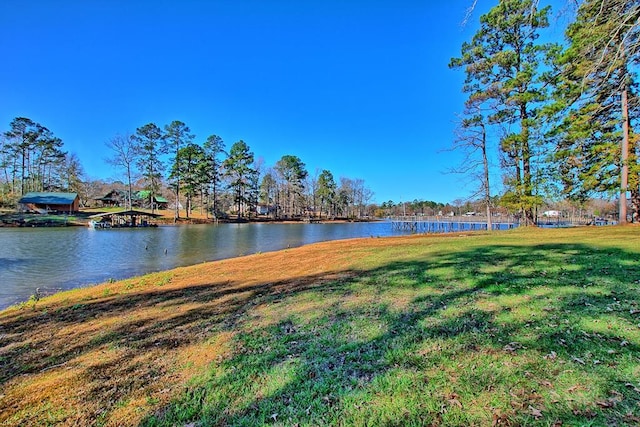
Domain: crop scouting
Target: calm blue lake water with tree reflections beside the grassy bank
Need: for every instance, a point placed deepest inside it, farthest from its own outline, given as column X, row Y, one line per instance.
column 63, row 258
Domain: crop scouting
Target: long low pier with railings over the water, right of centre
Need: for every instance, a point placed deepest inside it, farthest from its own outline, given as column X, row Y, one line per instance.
column 449, row 224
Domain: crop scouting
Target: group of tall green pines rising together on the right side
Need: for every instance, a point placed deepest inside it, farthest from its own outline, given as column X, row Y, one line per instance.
column 562, row 115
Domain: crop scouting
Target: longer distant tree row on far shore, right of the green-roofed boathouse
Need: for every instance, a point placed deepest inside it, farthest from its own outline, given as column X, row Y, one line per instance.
column 222, row 181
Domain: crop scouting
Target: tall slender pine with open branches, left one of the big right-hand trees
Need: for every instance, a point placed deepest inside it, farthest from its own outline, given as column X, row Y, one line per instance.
column 503, row 66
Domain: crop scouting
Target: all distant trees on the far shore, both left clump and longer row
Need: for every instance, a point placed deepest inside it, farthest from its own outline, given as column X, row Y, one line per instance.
column 198, row 175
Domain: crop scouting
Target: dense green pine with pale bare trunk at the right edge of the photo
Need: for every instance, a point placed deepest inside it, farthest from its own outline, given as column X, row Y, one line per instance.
column 597, row 75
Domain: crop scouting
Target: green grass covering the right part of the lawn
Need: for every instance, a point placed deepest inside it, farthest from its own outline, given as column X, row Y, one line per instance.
column 530, row 327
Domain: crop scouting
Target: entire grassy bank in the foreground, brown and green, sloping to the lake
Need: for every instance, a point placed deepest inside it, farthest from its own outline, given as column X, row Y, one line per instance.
column 526, row 327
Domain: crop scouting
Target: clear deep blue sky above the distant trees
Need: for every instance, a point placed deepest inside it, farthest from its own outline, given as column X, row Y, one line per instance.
column 361, row 88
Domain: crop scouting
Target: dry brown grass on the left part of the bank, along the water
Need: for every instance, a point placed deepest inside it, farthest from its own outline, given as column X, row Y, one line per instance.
column 115, row 352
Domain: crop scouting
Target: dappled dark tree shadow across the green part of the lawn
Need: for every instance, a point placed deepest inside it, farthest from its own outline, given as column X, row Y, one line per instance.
column 317, row 370
